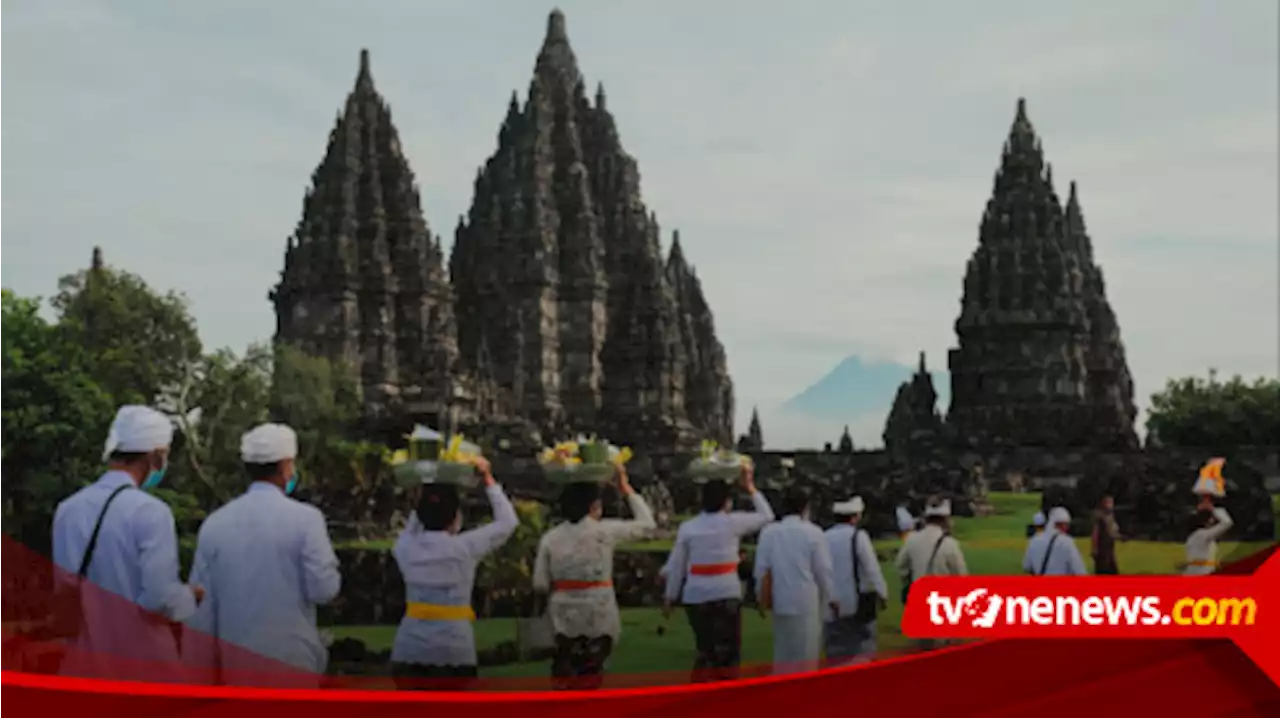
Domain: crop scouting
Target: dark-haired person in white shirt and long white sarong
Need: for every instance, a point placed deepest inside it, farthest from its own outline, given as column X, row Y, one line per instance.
column 793, row 566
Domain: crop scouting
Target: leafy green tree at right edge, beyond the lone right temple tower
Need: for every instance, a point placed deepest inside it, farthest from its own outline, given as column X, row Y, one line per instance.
column 1215, row 415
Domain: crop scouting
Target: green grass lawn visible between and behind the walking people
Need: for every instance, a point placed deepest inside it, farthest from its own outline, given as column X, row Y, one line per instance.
column 993, row 546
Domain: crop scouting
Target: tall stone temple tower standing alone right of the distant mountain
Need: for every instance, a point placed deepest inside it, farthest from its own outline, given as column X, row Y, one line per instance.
column 1040, row 360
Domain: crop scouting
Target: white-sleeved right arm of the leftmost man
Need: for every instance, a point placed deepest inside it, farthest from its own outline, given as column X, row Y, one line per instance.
column 157, row 537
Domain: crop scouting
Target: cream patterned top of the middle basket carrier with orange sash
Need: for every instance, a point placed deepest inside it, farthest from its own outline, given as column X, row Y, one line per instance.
column 584, row 552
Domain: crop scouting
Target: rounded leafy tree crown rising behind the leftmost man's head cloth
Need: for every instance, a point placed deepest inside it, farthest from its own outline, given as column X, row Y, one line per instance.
column 141, row 342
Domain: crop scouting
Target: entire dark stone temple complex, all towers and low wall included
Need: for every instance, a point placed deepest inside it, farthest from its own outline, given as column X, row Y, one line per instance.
column 559, row 313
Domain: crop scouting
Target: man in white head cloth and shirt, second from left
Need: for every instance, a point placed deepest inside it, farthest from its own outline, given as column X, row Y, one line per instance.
column 267, row 562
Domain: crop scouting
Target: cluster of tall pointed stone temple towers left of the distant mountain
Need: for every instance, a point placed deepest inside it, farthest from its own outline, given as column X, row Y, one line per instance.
column 557, row 313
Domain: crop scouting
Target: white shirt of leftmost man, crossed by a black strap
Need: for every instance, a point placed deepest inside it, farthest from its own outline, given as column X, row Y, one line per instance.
column 136, row 560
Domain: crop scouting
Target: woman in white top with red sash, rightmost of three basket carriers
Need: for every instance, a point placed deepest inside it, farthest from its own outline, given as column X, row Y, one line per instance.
column 702, row 573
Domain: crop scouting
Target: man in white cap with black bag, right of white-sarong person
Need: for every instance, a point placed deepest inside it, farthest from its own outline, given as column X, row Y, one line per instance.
column 860, row 583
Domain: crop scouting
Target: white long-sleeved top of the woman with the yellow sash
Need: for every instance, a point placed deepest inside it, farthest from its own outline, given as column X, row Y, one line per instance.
column 440, row 569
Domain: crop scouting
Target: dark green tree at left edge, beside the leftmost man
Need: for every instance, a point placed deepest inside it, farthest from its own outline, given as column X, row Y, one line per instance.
column 53, row 420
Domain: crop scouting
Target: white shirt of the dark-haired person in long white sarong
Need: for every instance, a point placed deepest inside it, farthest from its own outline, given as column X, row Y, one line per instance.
column 794, row 554
